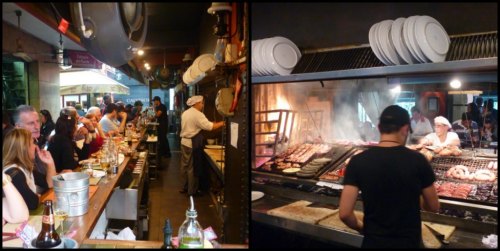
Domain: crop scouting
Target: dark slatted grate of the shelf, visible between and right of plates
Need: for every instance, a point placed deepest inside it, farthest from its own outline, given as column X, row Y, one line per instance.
column 461, row 48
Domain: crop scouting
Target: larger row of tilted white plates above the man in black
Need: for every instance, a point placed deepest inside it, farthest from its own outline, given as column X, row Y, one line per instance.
column 416, row 39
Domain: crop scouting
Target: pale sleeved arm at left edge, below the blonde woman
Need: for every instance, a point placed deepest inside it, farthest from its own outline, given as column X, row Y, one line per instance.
column 14, row 209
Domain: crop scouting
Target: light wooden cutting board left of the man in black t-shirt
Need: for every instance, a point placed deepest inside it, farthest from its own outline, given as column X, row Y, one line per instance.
column 300, row 211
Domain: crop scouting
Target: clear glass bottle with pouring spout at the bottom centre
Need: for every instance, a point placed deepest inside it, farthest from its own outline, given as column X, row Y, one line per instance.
column 190, row 232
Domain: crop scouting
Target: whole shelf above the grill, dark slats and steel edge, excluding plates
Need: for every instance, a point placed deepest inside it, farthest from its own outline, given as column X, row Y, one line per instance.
column 474, row 55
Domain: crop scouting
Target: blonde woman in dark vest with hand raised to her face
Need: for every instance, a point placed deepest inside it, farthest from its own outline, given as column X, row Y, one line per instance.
column 18, row 162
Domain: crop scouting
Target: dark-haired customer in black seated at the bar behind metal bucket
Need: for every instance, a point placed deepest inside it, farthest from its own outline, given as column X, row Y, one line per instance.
column 62, row 146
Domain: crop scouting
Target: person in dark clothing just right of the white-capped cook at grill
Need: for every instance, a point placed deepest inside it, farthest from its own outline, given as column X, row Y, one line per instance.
column 467, row 130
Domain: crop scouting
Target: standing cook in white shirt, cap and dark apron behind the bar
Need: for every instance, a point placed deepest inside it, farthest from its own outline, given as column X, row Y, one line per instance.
column 192, row 122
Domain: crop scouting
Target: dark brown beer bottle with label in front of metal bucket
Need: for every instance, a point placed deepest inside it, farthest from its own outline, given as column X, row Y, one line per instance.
column 48, row 237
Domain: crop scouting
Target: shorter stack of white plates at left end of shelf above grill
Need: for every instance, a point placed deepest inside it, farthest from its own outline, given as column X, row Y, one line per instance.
column 274, row 56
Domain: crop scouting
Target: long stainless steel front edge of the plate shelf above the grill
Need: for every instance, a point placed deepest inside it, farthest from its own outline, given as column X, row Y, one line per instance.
column 484, row 64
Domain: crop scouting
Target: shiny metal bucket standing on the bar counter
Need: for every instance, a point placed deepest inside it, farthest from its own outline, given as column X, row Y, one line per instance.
column 75, row 188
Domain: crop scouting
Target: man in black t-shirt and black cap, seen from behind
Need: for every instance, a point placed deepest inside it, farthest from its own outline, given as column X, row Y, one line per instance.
column 391, row 179
